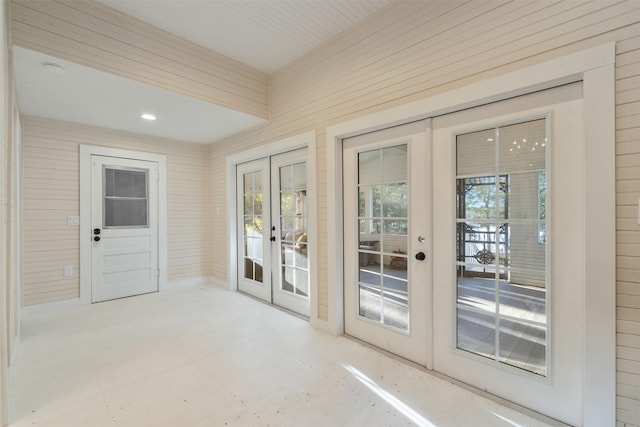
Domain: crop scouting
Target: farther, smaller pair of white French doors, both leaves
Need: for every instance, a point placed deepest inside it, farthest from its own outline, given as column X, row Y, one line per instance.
column 273, row 254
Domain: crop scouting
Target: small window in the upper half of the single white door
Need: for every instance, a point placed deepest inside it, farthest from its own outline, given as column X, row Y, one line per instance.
column 125, row 202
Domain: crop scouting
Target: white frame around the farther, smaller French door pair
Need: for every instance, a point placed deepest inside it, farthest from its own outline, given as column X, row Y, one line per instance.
column 308, row 140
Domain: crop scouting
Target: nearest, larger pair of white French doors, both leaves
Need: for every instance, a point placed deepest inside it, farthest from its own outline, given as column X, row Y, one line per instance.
column 464, row 246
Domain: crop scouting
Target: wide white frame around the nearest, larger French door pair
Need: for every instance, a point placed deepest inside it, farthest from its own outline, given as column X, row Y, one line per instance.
column 596, row 68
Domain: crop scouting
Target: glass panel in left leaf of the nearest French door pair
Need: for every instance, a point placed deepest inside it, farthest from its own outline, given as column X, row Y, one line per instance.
column 382, row 252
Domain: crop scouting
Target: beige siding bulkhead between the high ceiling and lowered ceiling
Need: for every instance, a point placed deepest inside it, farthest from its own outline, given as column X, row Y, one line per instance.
column 91, row 34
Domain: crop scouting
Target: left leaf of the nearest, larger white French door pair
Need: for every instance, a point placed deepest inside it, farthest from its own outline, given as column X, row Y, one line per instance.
column 387, row 244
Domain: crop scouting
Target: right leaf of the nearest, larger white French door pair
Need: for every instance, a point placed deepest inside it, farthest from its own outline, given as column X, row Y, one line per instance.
column 508, row 287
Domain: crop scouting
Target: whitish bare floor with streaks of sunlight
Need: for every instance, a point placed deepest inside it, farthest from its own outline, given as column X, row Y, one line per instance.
column 209, row 357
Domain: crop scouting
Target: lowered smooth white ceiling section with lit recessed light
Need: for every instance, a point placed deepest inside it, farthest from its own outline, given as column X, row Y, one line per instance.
column 88, row 96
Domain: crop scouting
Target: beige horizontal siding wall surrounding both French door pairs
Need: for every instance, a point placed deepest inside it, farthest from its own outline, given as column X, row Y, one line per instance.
column 413, row 50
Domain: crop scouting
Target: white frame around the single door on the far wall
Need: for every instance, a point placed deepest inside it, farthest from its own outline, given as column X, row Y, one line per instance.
column 86, row 151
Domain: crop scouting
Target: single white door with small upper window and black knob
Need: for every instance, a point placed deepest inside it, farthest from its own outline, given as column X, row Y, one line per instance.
column 124, row 232
